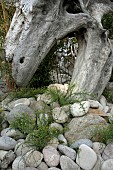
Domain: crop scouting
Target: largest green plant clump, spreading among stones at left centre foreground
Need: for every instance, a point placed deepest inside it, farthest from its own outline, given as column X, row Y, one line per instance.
column 38, row 129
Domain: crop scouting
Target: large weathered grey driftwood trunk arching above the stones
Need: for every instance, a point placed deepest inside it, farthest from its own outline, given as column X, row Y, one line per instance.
column 38, row 24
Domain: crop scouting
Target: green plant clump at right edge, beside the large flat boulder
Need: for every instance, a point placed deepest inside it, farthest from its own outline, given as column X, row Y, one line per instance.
column 105, row 133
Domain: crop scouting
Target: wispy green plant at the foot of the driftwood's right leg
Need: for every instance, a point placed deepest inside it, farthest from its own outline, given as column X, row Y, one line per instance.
column 66, row 98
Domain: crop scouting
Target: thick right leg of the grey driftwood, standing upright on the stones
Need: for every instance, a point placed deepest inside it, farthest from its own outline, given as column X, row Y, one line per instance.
column 94, row 63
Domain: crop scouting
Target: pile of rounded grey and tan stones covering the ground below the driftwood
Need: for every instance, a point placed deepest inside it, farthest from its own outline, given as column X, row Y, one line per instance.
column 73, row 150
